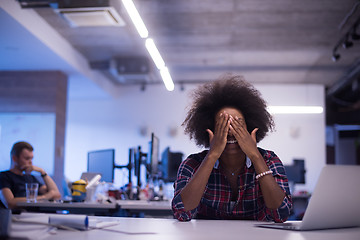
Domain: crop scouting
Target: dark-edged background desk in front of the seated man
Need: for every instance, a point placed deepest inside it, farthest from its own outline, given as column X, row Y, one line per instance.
column 97, row 209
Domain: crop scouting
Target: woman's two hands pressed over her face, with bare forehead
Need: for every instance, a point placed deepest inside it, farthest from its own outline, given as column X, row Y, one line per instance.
column 233, row 124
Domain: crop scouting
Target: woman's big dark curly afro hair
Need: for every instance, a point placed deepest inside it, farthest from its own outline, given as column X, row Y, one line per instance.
column 227, row 91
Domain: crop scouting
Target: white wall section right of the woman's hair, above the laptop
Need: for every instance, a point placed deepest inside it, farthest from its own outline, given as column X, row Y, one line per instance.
column 299, row 136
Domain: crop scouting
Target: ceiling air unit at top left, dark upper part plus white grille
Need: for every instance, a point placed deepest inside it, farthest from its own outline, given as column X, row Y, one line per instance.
column 89, row 13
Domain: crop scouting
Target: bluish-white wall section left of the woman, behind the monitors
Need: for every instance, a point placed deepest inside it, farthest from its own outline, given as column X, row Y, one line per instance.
column 117, row 123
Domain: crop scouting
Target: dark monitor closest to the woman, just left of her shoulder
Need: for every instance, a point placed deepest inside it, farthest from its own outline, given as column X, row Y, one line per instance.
column 170, row 162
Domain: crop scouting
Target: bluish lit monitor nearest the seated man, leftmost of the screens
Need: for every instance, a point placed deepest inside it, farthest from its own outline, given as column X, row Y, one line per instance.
column 102, row 161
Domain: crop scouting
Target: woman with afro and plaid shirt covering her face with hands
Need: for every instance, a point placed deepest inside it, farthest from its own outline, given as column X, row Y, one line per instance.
column 233, row 179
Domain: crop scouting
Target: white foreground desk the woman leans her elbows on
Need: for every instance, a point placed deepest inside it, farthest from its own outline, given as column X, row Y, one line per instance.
column 171, row 229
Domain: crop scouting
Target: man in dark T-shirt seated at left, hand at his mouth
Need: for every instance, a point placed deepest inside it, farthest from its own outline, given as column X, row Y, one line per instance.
column 12, row 182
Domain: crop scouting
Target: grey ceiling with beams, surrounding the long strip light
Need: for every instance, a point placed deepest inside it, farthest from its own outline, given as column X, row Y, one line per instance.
column 279, row 41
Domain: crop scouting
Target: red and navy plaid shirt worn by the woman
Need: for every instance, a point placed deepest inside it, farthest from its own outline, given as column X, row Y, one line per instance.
column 216, row 200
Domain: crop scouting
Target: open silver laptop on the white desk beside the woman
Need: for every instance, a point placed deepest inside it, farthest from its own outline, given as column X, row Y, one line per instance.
column 335, row 202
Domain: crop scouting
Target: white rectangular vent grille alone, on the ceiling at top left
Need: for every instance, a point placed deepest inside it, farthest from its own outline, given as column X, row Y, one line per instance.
column 91, row 17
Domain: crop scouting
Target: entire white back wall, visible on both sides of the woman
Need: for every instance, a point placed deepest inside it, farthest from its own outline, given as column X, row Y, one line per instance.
column 117, row 123
